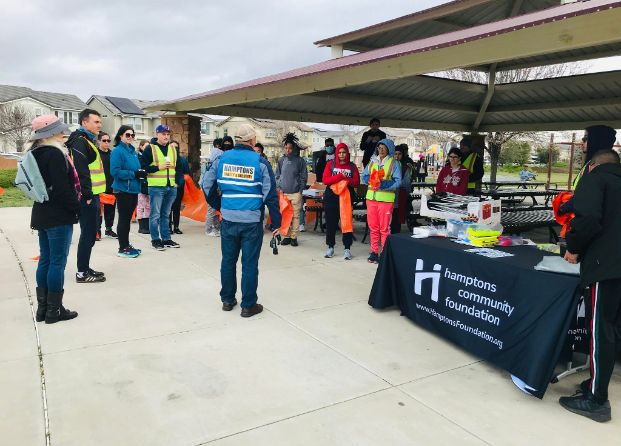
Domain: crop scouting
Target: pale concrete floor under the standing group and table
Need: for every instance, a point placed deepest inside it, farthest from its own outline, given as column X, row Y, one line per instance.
column 152, row 359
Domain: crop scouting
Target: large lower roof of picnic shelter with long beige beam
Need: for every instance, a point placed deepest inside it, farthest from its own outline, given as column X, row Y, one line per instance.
column 389, row 82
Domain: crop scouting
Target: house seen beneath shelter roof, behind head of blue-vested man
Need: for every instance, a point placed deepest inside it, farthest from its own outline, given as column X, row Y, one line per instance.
column 269, row 133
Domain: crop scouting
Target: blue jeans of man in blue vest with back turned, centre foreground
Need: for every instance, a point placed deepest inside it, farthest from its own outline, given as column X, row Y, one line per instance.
column 248, row 238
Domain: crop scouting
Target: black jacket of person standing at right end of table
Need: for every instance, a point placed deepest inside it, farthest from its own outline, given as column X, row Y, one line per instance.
column 595, row 232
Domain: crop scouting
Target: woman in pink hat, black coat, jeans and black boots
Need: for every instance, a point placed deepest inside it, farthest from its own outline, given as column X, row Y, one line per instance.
column 54, row 218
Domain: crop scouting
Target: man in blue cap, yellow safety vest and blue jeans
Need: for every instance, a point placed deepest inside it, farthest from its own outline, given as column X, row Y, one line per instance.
column 159, row 159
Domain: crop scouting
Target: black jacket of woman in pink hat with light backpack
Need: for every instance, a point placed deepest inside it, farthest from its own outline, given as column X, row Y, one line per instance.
column 63, row 206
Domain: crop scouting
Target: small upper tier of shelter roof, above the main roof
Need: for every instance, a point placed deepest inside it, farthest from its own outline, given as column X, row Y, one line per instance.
column 452, row 16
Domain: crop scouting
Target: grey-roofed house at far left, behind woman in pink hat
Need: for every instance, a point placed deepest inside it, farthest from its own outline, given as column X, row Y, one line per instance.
column 32, row 103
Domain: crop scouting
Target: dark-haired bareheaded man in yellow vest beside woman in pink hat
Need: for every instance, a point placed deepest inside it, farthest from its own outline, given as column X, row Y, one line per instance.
column 88, row 164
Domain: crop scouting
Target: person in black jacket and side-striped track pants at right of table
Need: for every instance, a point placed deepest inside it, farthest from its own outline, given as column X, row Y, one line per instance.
column 594, row 239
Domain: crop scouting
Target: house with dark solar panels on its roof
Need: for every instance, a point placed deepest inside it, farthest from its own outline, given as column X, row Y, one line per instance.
column 117, row 111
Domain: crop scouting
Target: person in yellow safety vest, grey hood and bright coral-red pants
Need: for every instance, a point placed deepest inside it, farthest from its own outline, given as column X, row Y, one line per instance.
column 383, row 176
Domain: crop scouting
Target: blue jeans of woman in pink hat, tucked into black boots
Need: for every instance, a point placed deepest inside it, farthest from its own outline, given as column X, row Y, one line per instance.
column 54, row 246
